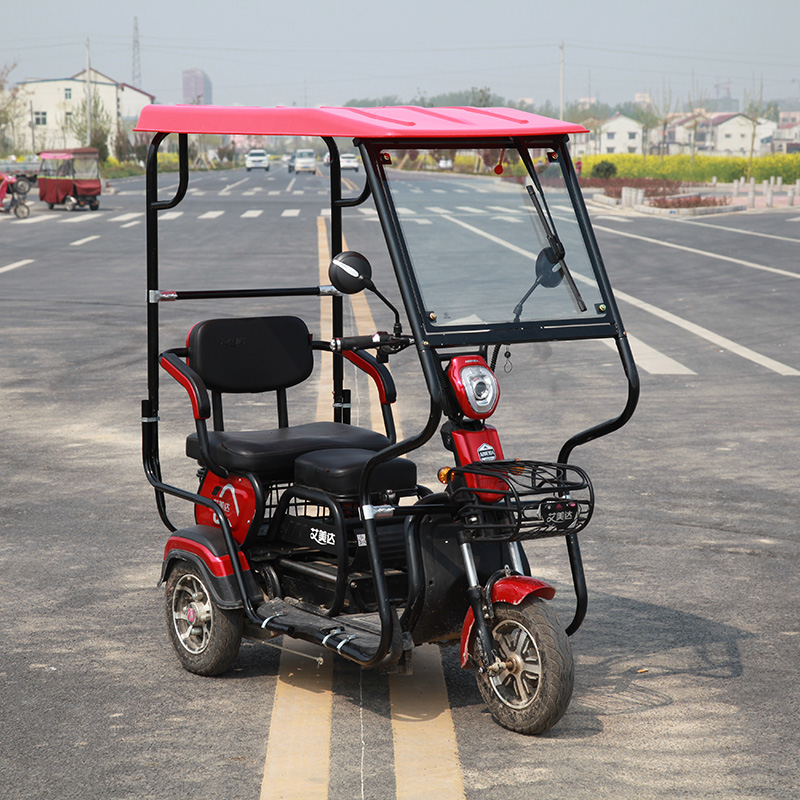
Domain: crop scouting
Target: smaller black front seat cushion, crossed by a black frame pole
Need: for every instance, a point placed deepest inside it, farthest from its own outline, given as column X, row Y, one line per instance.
column 338, row 472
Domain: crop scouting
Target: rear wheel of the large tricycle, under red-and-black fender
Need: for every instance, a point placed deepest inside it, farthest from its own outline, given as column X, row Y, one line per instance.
column 206, row 637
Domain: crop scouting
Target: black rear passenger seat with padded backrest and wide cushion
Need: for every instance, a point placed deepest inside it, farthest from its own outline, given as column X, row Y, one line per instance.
column 262, row 354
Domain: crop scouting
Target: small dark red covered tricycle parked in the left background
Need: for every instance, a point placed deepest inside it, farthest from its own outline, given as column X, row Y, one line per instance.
column 70, row 177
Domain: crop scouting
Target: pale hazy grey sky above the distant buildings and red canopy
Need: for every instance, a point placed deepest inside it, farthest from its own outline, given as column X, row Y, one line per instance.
column 320, row 53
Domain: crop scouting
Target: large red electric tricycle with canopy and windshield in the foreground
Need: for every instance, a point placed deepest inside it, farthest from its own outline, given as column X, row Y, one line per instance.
column 320, row 530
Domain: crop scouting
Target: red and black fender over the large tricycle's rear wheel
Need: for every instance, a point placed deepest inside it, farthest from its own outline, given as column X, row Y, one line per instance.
column 204, row 548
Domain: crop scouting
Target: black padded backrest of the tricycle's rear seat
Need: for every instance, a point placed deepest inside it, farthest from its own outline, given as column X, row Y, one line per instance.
column 251, row 354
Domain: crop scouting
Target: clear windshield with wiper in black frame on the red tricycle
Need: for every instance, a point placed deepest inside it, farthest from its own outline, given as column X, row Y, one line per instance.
column 488, row 244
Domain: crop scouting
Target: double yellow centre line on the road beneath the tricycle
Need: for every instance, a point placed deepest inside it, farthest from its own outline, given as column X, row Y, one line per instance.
column 425, row 749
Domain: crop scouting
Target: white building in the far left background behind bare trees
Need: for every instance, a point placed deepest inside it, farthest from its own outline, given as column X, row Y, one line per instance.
column 43, row 110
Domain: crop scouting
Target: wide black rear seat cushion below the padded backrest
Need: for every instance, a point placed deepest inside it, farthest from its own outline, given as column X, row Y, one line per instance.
column 272, row 453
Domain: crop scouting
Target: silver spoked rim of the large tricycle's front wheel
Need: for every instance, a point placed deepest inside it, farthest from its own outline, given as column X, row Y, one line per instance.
column 519, row 681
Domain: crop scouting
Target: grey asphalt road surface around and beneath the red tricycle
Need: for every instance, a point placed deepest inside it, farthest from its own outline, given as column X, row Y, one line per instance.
column 686, row 666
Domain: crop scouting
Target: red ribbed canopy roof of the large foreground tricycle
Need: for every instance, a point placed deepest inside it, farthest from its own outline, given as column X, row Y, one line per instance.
column 387, row 122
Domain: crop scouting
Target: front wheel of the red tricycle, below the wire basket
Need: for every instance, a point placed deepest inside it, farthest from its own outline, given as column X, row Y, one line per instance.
column 532, row 695
